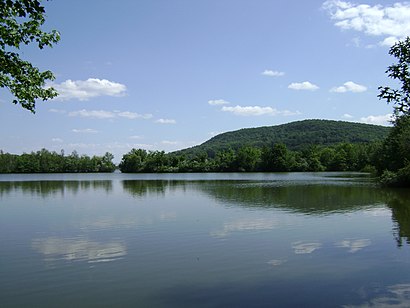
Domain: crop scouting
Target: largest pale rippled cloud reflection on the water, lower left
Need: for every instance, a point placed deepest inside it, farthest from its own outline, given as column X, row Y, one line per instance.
column 78, row 249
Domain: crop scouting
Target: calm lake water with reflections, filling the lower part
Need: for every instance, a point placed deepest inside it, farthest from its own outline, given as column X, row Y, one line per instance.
column 203, row 240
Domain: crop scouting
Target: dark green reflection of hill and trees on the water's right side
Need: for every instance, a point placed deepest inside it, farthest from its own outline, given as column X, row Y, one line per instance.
column 308, row 199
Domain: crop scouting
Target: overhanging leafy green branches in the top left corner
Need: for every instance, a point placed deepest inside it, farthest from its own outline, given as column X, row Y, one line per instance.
column 20, row 24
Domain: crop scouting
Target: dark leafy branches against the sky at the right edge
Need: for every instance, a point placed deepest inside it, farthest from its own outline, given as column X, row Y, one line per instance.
column 400, row 71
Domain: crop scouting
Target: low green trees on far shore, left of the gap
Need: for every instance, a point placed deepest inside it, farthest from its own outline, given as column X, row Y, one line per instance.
column 44, row 161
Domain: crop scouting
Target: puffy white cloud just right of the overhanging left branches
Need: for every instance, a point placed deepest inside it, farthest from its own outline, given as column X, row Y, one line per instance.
column 85, row 89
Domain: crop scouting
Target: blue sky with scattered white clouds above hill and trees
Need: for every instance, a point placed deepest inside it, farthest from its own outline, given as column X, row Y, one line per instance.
column 170, row 74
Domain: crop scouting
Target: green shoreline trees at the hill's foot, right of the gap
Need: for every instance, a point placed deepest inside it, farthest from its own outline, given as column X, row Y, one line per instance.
column 276, row 158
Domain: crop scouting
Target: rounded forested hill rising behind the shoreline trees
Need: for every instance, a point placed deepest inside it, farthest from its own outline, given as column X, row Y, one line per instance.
column 296, row 136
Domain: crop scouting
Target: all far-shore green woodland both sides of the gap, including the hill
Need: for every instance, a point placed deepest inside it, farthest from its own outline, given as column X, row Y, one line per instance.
column 311, row 145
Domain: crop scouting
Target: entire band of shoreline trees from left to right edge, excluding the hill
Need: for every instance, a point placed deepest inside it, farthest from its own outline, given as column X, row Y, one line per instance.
column 388, row 158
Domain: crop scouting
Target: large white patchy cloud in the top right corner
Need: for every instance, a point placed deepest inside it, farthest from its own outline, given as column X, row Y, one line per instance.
column 390, row 22
